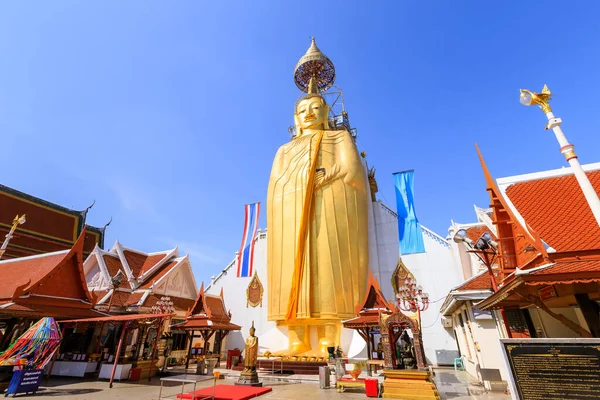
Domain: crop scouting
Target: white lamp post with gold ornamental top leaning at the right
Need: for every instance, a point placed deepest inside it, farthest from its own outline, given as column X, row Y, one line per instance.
column 542, row 99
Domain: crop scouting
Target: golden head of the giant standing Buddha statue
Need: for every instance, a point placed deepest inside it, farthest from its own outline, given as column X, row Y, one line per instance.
column 312, row 112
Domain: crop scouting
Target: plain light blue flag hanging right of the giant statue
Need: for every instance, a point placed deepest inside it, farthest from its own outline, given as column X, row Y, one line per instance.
column 409, row 229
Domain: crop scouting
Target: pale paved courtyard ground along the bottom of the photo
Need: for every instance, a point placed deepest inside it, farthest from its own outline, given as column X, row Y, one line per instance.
column 452, row 385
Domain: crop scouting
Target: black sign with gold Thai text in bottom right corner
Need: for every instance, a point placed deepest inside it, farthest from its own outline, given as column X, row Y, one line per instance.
column 554, row 369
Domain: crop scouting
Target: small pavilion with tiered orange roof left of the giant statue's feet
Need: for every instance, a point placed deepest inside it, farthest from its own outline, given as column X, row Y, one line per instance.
column 208, row 316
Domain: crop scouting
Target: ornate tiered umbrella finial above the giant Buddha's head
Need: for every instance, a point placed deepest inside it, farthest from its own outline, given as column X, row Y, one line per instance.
column 314, row 65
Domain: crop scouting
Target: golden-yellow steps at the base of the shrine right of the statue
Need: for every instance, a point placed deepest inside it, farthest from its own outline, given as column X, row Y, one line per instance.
column 407, row 384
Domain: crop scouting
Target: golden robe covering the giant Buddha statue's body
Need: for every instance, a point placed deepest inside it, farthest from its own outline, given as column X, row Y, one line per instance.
column 335, row 257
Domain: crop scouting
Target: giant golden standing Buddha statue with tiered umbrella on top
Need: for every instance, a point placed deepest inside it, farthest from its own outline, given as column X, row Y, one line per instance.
column 317, row 255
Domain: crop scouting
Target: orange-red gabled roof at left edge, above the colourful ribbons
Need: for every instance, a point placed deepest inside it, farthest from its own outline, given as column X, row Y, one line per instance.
column 47, row 285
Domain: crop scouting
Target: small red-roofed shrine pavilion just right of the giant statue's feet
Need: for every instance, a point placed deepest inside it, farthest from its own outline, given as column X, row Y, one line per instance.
column 369, row 311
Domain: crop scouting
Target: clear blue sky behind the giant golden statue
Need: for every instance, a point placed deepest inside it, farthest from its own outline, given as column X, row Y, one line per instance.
column 169, row 114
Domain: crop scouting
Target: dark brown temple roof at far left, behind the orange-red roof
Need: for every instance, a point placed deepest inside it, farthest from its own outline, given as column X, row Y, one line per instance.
column 49, row 227
